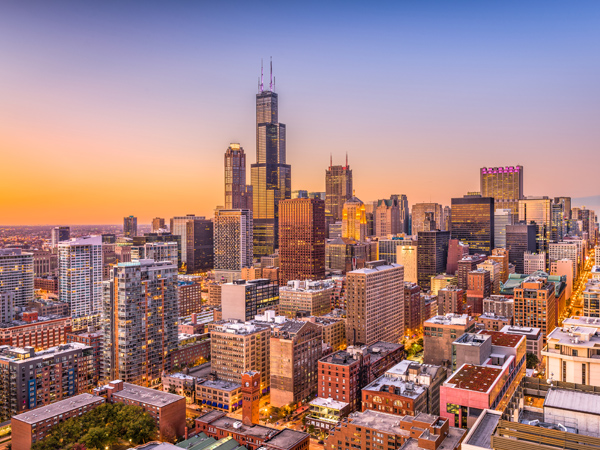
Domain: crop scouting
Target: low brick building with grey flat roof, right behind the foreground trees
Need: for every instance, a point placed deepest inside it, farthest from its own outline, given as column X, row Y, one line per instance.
column 168, row 410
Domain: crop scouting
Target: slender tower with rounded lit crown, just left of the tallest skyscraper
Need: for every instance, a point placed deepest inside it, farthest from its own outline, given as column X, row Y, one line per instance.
column 238, row 195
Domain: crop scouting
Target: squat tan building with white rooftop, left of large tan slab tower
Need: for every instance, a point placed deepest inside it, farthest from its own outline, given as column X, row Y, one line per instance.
column 301, row 297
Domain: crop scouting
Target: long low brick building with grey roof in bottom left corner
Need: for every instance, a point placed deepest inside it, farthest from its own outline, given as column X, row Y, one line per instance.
column 33, row 426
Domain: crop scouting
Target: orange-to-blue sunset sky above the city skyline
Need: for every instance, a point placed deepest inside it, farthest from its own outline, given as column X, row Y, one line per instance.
column 109, row 108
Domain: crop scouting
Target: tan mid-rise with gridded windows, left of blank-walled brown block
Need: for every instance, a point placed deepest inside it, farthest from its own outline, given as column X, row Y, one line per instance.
column 237, row 348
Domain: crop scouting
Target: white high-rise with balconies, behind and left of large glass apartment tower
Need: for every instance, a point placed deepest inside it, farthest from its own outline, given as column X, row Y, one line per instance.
column 80, row 279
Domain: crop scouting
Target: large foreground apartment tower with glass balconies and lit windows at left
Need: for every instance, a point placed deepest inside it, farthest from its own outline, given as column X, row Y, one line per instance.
column 139, row 321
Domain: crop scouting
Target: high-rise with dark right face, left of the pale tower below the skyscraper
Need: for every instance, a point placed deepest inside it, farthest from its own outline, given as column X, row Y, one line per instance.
column 196, row 241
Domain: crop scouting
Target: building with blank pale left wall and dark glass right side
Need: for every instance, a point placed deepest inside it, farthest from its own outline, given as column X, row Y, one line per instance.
column 244, row 299
